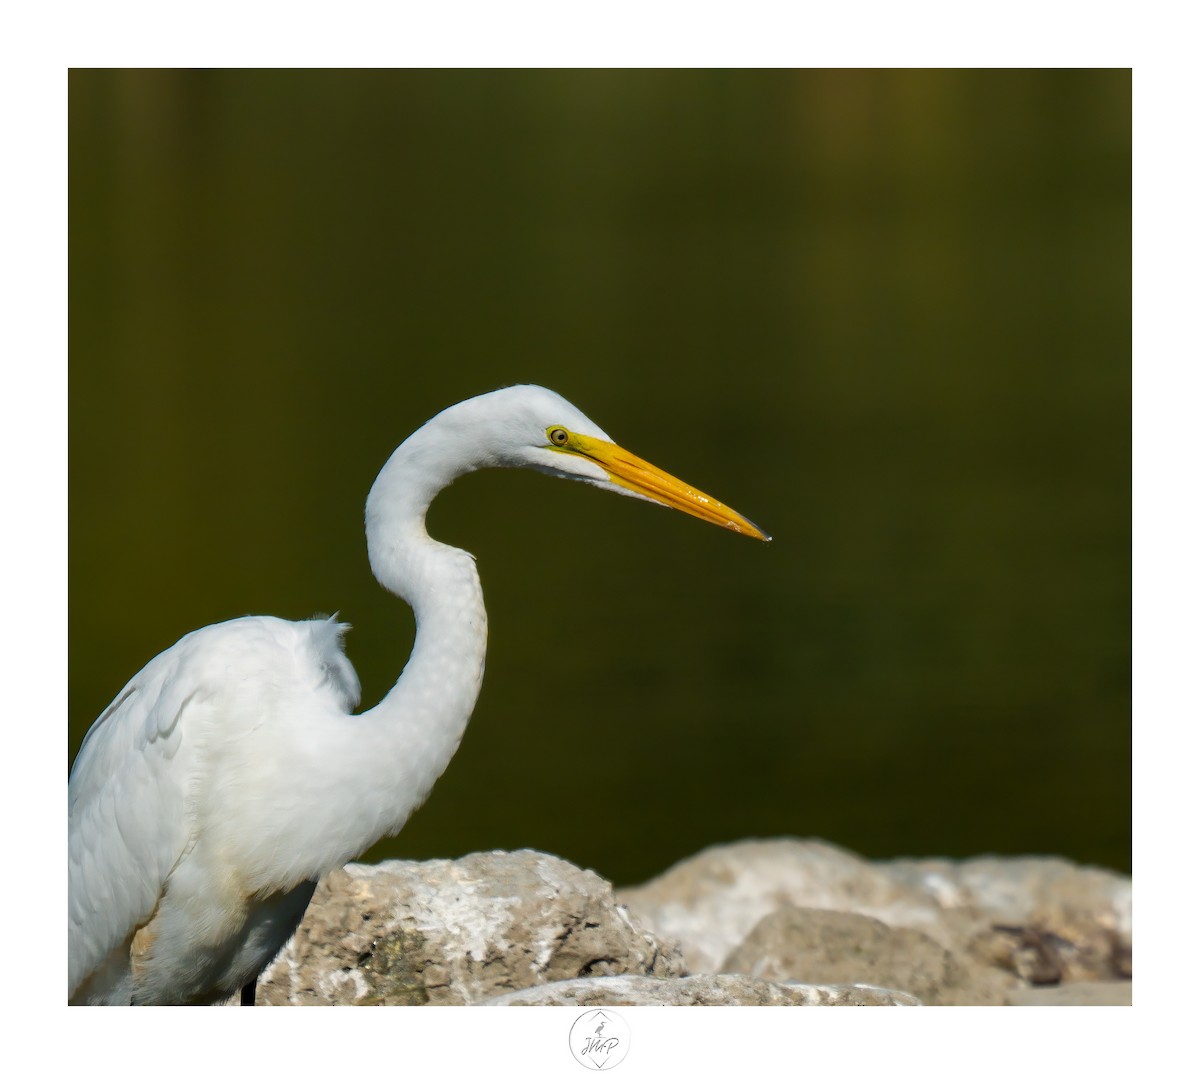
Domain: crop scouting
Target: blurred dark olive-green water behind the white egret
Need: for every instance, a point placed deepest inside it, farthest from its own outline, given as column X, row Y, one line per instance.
column 886, row 315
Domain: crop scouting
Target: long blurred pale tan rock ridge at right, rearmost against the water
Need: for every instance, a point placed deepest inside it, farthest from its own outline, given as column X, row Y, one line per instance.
column 1041, row 921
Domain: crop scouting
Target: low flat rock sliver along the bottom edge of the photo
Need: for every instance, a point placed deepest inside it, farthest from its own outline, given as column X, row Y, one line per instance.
column 704, row 991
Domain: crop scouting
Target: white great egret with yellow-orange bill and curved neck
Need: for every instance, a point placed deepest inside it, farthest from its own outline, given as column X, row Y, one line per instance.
column 231, row 773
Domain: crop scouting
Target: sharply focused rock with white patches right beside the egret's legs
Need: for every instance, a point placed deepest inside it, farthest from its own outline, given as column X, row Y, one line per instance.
column 455, row 933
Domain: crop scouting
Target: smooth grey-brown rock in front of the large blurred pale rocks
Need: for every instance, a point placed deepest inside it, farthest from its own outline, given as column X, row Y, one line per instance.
column 829, row 945
